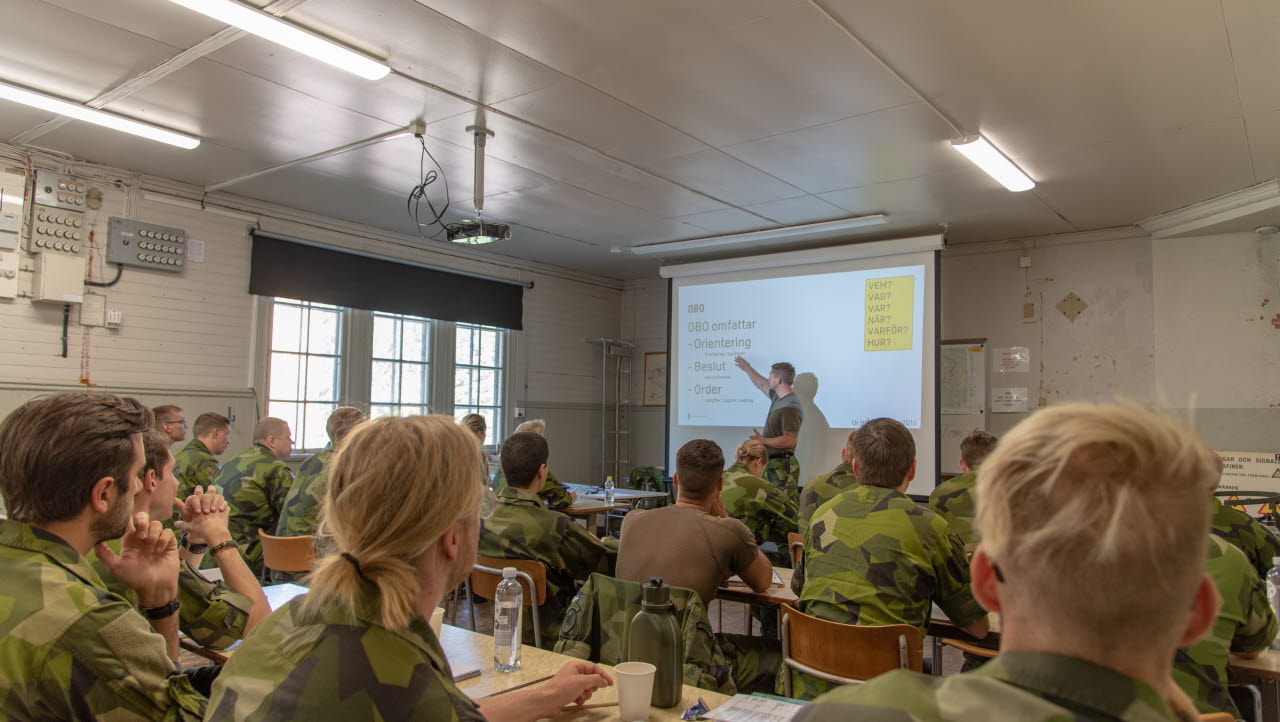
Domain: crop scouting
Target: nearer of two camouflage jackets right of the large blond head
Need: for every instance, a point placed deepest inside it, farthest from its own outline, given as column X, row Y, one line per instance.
column 1245, row 624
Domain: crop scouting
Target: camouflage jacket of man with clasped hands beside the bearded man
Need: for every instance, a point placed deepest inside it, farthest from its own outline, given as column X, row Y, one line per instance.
column 212, row 614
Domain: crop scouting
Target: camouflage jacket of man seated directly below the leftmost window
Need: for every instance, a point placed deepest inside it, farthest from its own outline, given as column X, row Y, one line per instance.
column 255, row 485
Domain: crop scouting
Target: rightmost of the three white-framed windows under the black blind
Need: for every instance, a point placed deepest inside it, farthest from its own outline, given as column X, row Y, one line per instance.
column 478, row 365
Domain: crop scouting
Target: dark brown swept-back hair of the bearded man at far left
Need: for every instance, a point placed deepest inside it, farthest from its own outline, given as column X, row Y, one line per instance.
column 57, row 447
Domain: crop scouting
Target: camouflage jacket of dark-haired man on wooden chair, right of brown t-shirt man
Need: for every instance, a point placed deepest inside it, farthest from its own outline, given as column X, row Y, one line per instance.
column 874, row 558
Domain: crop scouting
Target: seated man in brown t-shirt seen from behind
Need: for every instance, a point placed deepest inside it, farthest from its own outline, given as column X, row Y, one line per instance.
column 696, row 545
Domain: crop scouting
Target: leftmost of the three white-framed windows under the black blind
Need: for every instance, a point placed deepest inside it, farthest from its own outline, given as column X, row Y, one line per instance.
column 305, row 368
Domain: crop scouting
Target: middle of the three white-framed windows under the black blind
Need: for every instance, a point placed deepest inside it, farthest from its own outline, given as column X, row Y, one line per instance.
column 401, row 374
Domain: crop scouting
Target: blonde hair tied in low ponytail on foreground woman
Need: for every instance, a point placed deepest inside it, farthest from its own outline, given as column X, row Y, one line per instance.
column 396, row 487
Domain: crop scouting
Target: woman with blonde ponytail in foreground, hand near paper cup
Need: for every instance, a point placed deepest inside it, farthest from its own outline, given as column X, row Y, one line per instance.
column 359, row 646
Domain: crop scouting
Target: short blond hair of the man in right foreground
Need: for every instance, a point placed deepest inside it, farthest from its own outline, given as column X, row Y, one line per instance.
column 1101, row 499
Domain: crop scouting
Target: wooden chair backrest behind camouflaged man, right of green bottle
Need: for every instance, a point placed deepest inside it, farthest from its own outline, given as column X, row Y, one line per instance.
column 845, row 655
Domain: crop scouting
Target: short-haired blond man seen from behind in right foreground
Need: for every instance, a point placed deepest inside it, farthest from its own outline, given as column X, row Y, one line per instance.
column 1094, row 543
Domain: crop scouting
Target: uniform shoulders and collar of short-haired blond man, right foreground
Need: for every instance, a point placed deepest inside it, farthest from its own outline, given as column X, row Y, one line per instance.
column 1017, row 686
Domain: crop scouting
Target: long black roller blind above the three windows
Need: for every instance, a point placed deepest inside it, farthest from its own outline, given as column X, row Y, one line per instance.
column 326, row 276
